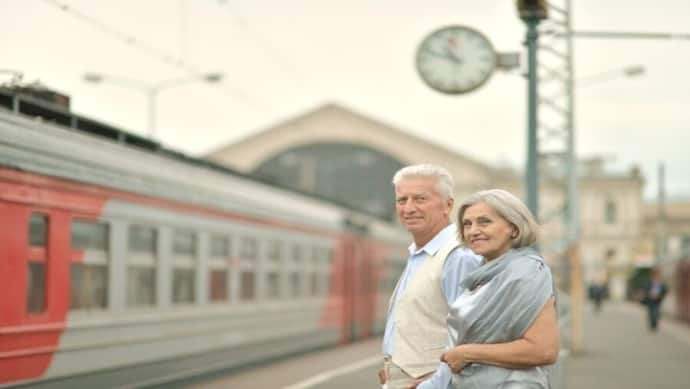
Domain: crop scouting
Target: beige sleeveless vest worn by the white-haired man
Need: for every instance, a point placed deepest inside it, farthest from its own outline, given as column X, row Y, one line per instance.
column 421, row 334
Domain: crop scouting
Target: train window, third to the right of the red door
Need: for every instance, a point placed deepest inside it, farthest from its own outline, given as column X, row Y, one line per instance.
column 184, row 267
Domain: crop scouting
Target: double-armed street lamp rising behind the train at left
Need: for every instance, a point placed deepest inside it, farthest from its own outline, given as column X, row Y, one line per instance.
column 151, row 90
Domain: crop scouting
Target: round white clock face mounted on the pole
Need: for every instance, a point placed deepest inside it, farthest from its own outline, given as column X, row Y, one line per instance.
column 455, row 59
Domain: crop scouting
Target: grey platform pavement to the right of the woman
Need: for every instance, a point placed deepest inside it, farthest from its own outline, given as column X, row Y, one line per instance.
column 621, row 353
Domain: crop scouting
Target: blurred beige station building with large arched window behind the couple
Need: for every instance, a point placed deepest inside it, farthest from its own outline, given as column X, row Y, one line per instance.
column 341, row 154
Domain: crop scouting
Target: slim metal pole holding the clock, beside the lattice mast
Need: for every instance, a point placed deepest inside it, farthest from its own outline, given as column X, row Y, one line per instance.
column 531, row 177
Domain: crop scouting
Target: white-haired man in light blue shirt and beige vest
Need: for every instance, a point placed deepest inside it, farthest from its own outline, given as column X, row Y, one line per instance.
column 416, row 333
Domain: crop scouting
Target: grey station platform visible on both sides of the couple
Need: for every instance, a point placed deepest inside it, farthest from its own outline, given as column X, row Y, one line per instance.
column 619, row 353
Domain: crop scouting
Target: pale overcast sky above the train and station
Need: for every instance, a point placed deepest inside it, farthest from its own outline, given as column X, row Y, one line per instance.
column 281, row 59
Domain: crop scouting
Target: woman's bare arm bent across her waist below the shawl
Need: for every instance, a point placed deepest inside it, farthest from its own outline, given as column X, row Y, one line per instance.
column 538, row 347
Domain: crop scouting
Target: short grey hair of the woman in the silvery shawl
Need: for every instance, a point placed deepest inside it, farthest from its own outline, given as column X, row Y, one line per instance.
column 509, row 207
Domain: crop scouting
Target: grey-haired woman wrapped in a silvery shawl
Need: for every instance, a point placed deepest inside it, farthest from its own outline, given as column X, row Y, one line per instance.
column 504, row 325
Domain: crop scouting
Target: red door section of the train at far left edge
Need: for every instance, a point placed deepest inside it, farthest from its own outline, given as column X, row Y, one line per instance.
column 34, row 252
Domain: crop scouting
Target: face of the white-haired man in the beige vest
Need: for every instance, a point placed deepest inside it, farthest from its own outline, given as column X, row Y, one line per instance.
column 420, row 207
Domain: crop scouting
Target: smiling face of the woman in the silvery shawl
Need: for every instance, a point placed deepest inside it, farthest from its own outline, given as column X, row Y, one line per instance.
column 486, row 232
